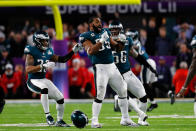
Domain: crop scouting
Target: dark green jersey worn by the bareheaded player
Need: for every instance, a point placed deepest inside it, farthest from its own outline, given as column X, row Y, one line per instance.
column 104, row 56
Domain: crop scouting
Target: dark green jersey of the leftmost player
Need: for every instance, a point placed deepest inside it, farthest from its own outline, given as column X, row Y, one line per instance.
column 40, row 57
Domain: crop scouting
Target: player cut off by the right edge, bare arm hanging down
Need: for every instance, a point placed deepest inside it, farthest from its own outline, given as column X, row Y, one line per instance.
column 191, row 72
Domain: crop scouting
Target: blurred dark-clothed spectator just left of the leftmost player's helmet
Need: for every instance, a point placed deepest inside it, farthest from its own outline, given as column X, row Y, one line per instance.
column 17, row 45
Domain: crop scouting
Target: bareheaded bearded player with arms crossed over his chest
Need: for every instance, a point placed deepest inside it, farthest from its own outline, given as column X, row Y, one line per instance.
column 97, row 42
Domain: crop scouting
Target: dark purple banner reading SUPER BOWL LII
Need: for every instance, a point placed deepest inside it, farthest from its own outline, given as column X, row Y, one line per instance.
column 145, row 7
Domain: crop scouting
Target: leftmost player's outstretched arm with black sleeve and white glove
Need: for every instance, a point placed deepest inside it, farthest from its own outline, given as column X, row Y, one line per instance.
column 65, row 58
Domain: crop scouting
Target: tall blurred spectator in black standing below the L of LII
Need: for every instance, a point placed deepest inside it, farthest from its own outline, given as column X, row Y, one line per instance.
column 152, row 33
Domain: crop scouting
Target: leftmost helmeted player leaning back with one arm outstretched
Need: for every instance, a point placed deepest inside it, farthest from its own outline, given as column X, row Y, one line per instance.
column 39, row 58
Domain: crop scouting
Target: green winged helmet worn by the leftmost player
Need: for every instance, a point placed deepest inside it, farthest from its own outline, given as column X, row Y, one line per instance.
column 41, row 40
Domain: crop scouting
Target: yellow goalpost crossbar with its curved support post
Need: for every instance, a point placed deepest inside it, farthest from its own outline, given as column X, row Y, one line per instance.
column 55, row 3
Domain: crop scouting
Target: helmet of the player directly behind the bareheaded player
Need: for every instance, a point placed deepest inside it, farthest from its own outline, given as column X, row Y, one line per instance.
column 115, row 28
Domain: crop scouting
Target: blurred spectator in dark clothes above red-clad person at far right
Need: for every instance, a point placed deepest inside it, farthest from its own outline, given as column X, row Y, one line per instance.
column 183, row 55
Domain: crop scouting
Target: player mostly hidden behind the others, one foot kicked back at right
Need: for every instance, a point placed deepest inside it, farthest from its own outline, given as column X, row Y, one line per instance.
column 148, row 78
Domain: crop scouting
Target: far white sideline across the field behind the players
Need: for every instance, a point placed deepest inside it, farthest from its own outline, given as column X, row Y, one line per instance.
column 84, row 101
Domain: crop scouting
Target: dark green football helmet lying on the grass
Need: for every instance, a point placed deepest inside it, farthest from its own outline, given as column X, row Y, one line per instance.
column 79, row 119
